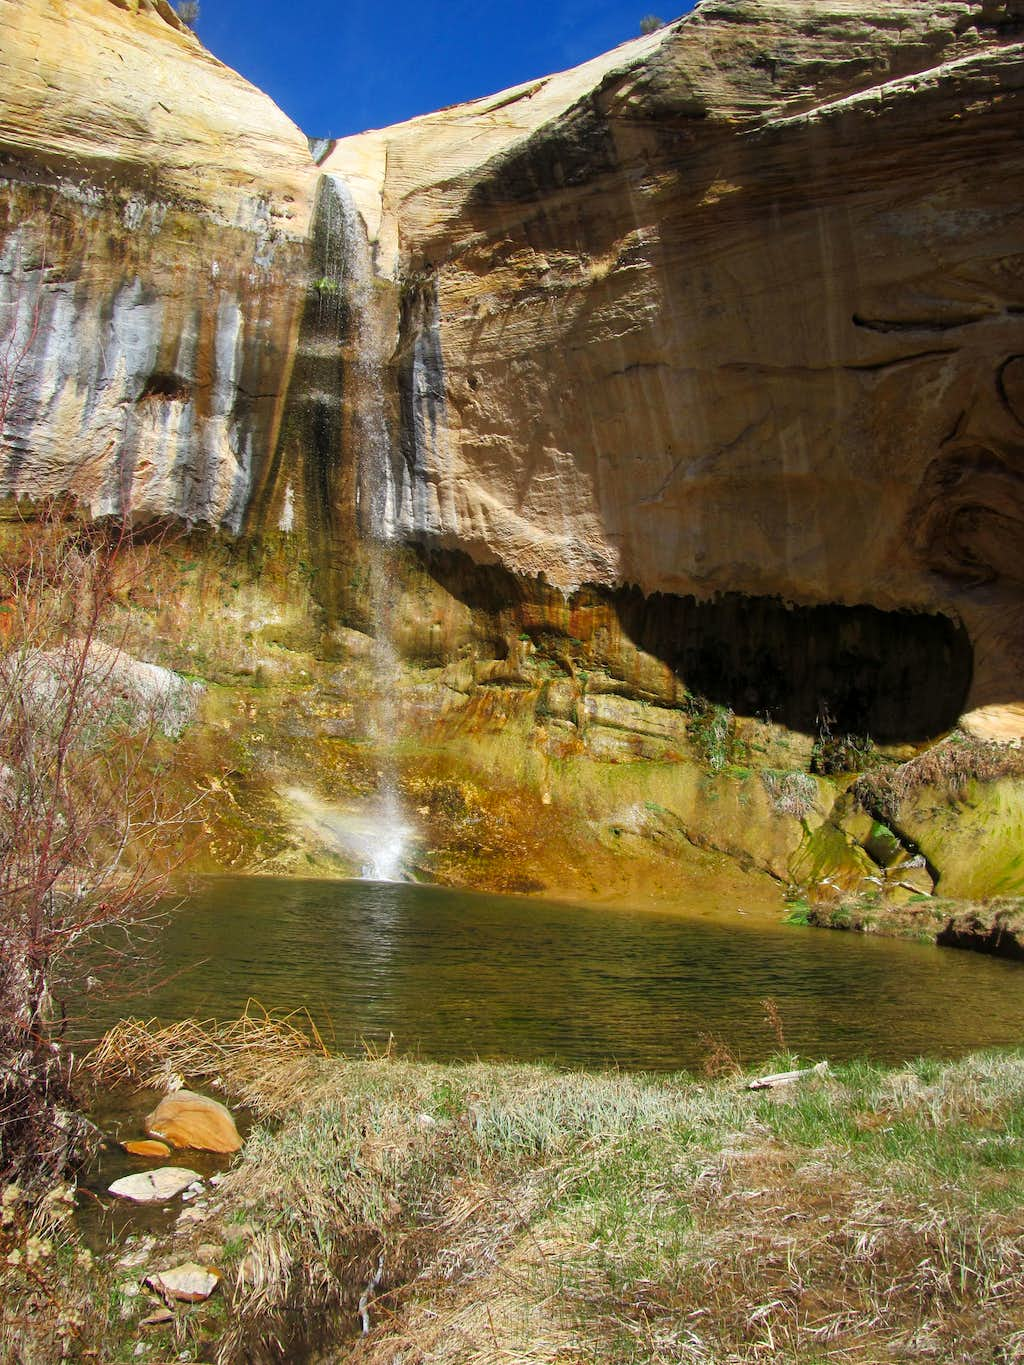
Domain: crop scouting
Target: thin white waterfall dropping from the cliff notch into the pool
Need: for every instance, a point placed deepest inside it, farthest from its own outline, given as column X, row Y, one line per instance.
column 352, row 274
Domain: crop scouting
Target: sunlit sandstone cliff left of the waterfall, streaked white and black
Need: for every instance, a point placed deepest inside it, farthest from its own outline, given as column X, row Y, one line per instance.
column 154, row 216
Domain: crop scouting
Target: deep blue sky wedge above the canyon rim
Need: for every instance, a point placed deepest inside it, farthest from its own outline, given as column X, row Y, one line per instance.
column 352, row 65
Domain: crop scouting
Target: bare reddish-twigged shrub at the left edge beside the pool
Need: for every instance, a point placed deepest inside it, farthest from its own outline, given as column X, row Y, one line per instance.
column 87, row 836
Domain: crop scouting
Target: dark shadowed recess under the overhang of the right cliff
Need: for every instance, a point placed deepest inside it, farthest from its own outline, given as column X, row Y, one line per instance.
column 892, row 676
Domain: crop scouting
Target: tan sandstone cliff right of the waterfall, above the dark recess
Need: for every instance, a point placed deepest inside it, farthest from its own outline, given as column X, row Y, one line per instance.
column 734, row 308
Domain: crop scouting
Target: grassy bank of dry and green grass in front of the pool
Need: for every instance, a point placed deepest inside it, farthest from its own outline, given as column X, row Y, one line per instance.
column 485, row 1214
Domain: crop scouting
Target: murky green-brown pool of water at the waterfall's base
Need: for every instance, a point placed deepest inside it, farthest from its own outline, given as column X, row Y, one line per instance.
column 455, row 975
